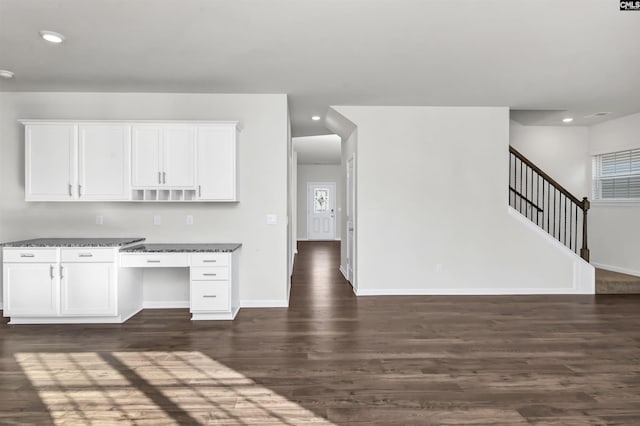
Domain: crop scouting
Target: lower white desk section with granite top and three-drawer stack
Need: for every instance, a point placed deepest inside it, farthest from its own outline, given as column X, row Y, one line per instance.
column 213, row 274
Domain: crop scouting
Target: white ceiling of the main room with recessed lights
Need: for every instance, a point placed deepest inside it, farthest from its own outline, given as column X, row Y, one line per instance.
column 575, row 55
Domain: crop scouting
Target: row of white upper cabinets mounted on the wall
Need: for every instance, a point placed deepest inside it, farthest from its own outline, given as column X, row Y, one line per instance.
column 141, row 160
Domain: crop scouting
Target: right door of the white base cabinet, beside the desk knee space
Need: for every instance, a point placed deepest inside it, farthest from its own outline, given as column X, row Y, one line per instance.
column 87, row 289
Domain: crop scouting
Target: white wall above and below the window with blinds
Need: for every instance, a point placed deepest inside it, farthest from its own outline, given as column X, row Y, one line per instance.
column 614, row 234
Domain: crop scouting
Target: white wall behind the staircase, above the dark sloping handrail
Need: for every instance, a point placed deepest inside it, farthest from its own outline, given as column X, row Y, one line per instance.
column 562, row 152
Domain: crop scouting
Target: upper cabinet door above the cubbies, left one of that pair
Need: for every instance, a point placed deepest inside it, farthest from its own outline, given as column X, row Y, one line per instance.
column 146, row 156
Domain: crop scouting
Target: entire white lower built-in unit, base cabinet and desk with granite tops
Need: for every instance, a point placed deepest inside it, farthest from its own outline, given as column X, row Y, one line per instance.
column 99, row 280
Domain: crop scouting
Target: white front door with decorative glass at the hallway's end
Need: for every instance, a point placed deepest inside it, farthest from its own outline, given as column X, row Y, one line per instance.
column 321, row 206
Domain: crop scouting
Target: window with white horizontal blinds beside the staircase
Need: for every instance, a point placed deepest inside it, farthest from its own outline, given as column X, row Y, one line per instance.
column 616, row 176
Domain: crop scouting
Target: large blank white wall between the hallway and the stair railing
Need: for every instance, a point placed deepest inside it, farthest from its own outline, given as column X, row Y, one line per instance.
column 438, row 195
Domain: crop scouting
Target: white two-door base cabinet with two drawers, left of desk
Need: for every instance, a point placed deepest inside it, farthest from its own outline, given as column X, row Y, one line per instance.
column 60, row 285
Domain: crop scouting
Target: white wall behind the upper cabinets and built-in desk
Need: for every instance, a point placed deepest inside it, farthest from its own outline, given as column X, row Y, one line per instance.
column 262, row 163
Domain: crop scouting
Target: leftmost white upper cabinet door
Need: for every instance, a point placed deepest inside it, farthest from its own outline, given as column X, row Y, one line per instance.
column 50, row 162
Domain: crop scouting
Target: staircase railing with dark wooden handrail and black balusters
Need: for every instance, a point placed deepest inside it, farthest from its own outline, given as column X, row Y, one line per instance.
column 545, row 202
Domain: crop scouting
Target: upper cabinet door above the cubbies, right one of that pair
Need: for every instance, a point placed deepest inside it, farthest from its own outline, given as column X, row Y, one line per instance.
column 179, row 156
